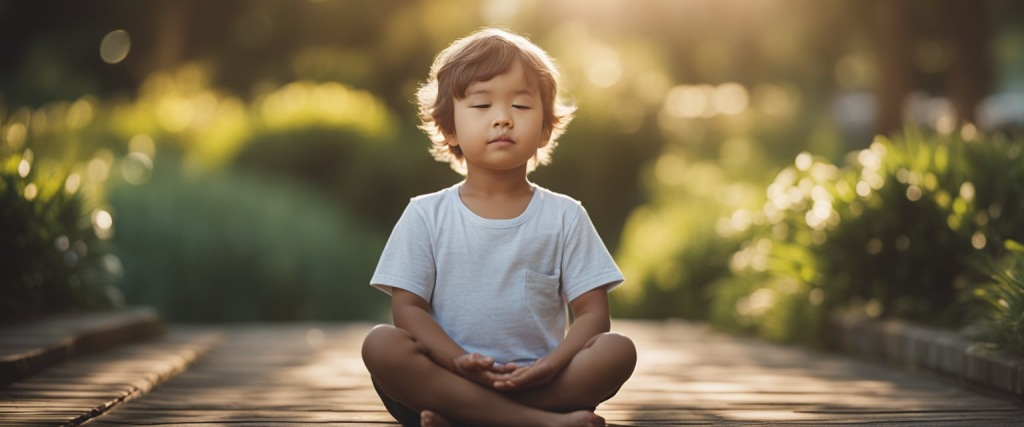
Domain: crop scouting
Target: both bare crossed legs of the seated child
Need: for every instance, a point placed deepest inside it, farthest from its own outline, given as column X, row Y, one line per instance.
column 403, row 369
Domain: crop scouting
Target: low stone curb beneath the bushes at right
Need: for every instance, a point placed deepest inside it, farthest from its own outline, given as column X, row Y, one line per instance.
column 920, row 348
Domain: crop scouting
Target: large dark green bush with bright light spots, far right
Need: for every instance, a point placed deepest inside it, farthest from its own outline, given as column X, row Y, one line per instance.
column 891, row 235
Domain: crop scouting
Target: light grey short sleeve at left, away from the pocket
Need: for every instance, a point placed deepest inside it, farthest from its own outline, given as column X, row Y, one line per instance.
column 408, row 261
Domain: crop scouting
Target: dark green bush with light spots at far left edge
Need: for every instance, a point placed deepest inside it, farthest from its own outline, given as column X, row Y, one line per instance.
column 53, row 260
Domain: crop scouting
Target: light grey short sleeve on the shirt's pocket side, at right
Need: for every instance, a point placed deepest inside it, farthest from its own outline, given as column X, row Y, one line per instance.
column 586, row 263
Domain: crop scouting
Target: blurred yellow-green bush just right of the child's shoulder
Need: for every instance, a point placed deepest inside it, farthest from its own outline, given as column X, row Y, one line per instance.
column 672, row 249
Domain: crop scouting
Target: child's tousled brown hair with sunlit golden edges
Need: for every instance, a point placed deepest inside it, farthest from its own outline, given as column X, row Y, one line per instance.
column 479, row 58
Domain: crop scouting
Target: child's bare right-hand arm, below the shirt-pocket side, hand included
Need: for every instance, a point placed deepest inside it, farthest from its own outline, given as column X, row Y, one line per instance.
column 591, row 312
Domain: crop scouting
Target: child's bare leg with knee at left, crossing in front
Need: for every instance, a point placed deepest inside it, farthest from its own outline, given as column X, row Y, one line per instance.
column 406, row 373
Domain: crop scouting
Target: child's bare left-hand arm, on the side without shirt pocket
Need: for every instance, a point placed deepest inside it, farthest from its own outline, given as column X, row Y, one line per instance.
column 413, row 314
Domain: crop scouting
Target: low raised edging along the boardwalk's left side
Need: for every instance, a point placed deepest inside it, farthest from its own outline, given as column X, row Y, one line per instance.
column 31, row 348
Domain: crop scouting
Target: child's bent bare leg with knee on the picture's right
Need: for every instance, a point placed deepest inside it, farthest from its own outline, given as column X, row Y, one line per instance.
column 598, row 371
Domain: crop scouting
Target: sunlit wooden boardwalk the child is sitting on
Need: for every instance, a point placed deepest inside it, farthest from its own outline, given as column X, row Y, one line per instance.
column 303, row 375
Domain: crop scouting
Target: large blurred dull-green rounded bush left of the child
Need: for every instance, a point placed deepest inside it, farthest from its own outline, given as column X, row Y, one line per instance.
column 230, row 246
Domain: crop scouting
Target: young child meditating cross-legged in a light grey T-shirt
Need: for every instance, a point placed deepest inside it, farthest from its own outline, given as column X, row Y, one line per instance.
column 480, row 274
